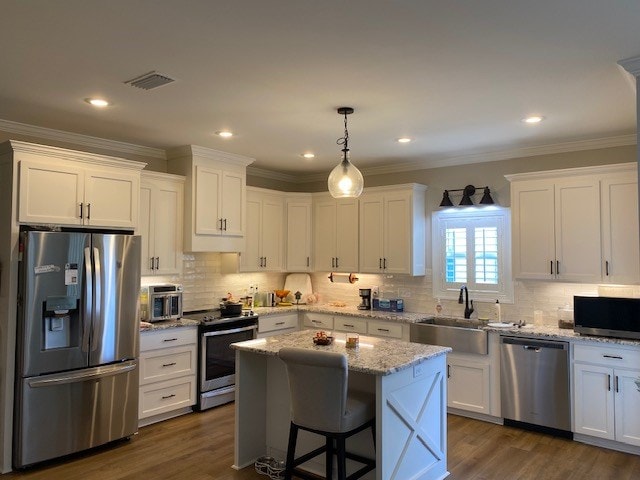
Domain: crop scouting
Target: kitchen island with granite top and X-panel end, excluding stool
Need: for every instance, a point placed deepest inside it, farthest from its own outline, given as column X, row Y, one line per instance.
column 409, row 381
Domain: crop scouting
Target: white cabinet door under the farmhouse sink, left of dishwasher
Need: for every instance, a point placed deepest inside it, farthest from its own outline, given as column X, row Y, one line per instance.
column 468, row 385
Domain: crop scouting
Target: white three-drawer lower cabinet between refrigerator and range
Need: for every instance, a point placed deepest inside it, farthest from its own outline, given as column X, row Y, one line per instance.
column 168, row 365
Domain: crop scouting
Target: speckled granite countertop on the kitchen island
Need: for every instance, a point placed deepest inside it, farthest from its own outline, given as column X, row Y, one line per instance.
column 377, row 356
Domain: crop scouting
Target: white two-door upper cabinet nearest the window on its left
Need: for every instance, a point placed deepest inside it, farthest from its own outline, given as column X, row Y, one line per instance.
column 392, row 230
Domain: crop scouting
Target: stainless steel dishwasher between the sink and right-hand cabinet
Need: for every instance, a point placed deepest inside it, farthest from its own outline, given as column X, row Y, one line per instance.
column 534, row 382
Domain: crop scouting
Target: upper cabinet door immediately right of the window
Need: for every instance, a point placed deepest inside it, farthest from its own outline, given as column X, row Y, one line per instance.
column 533, row 236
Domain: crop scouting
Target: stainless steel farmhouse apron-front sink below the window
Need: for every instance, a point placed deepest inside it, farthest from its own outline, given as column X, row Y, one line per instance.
column 461, row 334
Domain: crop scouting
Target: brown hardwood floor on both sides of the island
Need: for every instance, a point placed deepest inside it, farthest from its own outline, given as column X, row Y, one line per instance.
column 200, row 447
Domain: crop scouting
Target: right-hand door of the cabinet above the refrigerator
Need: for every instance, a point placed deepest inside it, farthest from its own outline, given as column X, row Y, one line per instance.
column 112, row 199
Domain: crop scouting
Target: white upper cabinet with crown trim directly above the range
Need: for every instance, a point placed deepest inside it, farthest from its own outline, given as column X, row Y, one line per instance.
column 215, row 198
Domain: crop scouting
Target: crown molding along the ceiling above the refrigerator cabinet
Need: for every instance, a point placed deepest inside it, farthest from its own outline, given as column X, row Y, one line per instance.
column 79, row 139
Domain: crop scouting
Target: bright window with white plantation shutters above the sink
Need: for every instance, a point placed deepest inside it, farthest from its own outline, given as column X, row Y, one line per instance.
column 472, row 247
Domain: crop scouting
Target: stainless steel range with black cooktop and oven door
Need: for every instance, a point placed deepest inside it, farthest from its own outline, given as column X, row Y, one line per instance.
column 217, row 361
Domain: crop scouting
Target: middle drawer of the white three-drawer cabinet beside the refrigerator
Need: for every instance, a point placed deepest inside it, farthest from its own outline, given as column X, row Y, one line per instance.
column 164, row 364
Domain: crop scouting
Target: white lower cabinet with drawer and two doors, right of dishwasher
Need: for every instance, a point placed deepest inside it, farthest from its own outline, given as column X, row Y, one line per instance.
column 606, row 397
